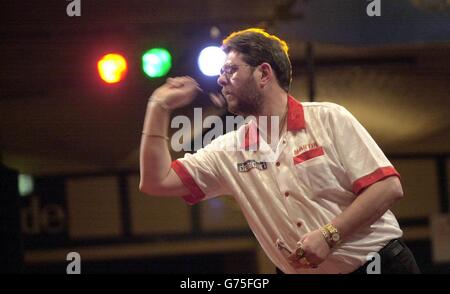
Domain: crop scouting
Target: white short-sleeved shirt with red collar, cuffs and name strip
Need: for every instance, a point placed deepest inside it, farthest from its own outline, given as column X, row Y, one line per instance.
column 320, row 165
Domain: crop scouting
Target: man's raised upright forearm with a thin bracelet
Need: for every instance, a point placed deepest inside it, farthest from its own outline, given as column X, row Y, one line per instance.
column 155, row 159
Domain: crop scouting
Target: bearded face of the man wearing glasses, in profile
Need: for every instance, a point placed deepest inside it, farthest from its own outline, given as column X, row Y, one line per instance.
column 239, row 86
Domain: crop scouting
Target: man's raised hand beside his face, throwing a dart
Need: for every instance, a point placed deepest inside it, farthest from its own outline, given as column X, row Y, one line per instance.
column 177, row 92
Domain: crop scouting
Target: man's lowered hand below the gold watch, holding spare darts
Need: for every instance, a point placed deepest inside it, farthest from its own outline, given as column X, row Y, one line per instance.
column 315, row 250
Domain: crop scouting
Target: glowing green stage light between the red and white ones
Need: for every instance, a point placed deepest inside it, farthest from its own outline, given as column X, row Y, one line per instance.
column 156, row 62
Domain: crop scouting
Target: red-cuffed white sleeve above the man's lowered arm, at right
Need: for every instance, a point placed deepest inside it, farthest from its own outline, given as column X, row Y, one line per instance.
column 363, row 160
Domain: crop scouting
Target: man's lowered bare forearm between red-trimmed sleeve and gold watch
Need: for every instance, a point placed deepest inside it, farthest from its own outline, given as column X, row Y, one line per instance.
column 369, row 206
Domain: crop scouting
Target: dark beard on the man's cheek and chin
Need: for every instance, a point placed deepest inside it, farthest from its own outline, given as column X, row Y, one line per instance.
column 248, row 100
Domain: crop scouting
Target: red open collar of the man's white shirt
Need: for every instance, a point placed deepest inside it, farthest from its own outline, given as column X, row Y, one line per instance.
column 295, row 122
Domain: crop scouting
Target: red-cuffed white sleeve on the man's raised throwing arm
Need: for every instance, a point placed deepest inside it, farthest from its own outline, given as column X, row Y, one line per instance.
column 199, row 173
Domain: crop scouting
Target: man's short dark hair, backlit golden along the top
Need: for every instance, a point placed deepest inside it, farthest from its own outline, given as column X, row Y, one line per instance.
column 258, row 46
